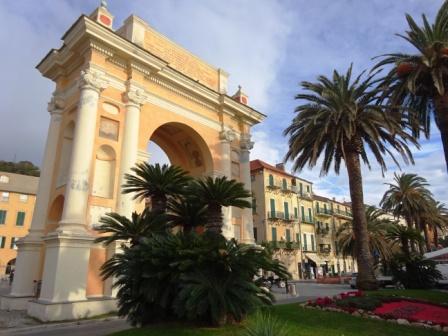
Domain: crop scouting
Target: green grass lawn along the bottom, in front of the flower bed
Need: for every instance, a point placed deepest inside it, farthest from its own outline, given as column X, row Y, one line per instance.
column 300, row 322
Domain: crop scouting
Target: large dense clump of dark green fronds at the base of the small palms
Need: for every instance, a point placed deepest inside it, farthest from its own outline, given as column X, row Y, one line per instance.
column 190, row 276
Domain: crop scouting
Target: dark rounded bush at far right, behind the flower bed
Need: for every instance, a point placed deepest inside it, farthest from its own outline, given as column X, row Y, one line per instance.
column 414, row 272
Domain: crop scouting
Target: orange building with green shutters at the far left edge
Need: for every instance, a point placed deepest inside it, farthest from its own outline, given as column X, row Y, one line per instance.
column 17, row 198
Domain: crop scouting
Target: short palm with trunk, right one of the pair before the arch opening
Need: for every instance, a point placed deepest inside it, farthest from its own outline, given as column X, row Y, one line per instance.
column 216, row 193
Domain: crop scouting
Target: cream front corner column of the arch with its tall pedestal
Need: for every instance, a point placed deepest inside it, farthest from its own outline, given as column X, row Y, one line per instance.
column 68, row 248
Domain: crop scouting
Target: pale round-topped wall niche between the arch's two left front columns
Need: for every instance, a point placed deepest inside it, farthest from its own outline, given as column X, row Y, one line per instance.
column 104, row 174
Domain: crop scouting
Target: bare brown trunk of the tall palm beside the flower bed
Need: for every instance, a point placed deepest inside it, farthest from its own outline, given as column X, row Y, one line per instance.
column 366, row 278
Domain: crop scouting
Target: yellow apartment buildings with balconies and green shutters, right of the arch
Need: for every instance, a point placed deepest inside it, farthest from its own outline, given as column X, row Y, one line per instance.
column 300, row 225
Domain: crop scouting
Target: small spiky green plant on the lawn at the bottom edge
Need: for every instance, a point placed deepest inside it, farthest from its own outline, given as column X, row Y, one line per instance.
column 264, row 324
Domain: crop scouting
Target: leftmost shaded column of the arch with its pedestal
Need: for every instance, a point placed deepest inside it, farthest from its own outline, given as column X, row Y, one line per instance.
column 29, row 253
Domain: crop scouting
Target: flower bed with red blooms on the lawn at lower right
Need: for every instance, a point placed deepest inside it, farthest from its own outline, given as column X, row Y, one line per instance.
column 399, row 310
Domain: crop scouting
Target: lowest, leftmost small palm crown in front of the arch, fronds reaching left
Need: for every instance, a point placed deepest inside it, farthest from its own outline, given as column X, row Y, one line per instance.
column 120, row 228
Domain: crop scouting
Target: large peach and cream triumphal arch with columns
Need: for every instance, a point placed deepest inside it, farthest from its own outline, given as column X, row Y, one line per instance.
column 115, row 90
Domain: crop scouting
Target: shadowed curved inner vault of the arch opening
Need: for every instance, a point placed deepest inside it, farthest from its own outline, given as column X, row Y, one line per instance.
column 184, row 147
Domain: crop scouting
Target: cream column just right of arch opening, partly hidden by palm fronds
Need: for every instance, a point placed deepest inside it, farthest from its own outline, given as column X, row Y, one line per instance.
column 226, row 138
